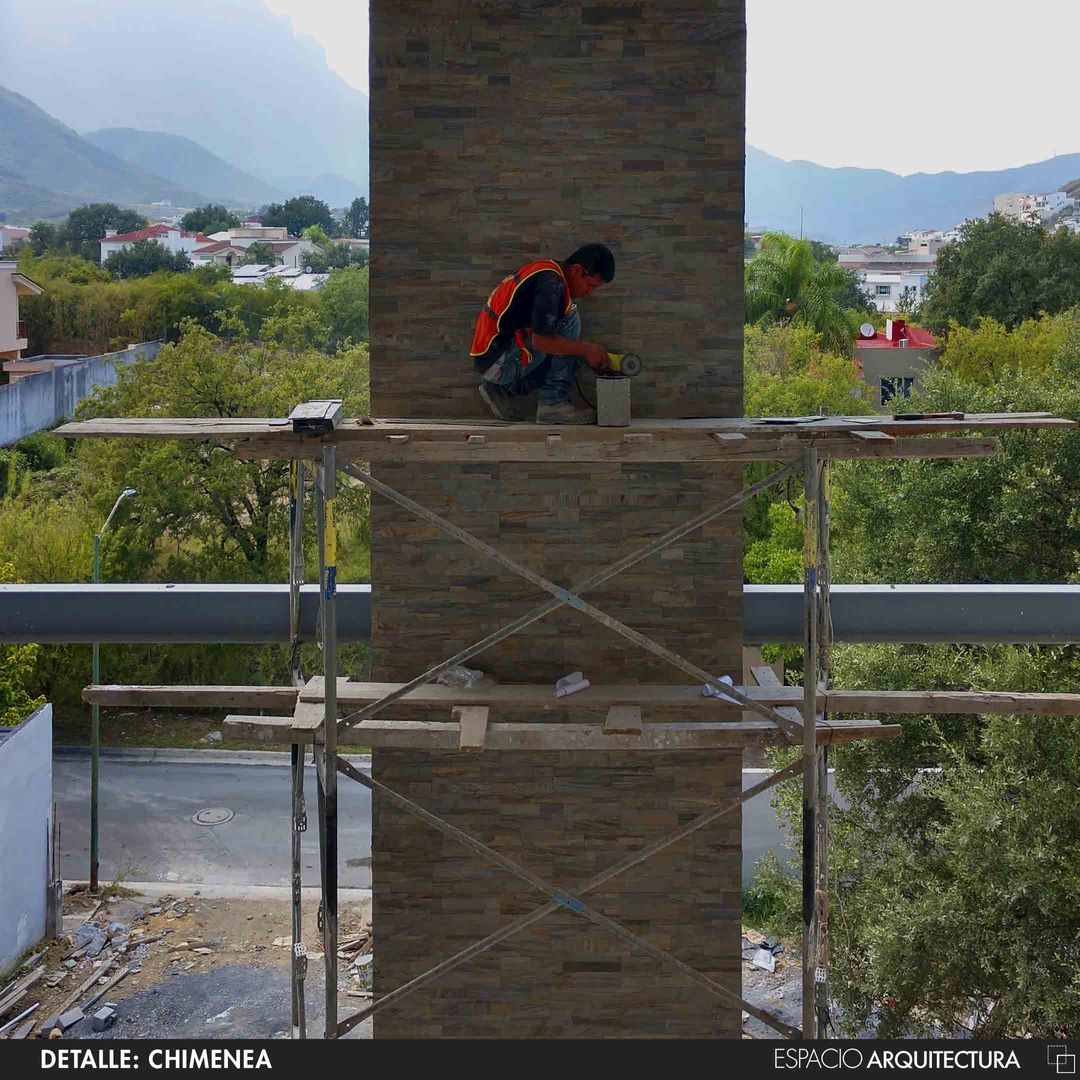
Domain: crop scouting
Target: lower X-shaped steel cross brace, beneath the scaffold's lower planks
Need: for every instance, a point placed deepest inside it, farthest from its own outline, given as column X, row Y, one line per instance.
column 560, row 899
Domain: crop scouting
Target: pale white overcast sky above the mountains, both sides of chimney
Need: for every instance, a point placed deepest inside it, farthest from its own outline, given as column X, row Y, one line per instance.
column 926, row 86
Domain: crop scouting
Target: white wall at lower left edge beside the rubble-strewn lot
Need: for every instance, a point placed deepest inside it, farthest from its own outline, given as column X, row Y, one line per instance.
column 26, row 807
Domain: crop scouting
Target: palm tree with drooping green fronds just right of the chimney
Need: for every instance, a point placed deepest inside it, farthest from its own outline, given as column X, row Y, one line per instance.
column 786, row 286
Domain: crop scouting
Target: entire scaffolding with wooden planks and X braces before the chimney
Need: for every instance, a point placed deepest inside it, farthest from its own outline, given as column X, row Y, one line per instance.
column 794, row 717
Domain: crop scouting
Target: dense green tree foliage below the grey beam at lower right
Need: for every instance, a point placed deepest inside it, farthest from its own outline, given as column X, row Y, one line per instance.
column 955, row 892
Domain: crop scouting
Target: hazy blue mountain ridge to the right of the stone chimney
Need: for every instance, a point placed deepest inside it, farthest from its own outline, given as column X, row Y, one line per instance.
column 871, row 205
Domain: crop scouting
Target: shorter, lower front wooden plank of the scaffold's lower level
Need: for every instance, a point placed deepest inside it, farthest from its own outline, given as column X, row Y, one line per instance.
column 420, row 735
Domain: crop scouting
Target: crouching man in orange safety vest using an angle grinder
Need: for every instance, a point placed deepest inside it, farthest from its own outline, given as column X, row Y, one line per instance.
column 529, row 336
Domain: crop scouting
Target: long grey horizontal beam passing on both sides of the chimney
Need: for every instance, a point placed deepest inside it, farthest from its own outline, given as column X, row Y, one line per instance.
column 260, row 614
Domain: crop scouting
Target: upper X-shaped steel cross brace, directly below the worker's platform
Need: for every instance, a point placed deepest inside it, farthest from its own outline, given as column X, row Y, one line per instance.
column 572, row 597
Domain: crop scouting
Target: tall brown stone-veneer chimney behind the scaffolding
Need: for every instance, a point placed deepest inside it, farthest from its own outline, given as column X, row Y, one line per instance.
column 503, row 131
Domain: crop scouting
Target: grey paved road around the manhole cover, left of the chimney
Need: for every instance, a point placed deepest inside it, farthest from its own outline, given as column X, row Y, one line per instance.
column 147, row 832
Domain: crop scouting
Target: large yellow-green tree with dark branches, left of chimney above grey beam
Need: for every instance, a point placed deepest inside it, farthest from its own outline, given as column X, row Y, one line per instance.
column 202, row 515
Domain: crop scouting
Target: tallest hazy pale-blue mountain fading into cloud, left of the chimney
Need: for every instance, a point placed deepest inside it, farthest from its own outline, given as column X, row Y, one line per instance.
column 231, row 76
